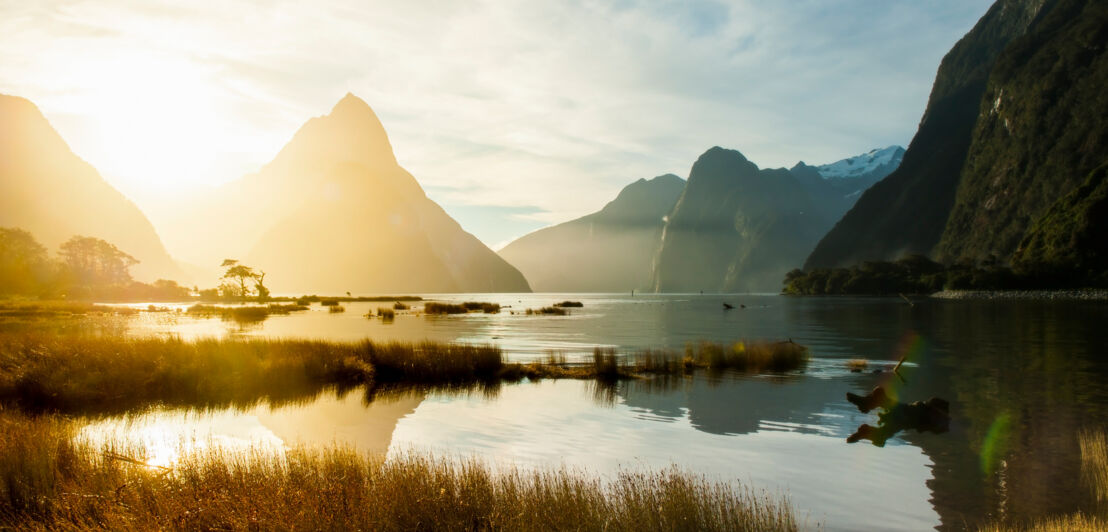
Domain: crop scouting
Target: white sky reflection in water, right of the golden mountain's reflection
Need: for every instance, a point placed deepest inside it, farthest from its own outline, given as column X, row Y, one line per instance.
column 558, row 423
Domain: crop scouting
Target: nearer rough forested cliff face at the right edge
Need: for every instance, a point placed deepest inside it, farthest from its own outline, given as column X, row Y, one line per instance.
column 1042, row 136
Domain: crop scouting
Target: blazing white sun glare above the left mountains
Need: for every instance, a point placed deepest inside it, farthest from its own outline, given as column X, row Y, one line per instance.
column 157, row 120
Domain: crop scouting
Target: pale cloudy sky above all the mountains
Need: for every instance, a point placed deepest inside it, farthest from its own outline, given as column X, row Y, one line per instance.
column 512, row 115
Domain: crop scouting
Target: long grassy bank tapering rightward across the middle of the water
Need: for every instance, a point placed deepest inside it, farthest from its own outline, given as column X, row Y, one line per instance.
column 44, row 372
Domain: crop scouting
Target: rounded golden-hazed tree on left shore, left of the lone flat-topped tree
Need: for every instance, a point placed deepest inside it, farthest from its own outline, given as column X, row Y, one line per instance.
column 95, row 263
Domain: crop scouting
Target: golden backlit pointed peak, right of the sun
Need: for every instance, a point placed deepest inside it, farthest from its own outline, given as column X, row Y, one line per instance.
column 335, row 212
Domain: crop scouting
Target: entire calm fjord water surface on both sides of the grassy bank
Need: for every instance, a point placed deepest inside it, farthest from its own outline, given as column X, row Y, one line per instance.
column 1022, row 377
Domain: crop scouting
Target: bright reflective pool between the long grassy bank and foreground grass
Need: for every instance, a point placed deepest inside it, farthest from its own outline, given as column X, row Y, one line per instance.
column 794, row 446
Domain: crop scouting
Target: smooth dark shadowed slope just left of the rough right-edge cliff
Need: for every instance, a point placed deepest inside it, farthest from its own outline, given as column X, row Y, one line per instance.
column 908, row 211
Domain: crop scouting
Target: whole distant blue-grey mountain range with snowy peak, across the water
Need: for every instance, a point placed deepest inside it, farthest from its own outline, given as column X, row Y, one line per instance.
column 732, row 228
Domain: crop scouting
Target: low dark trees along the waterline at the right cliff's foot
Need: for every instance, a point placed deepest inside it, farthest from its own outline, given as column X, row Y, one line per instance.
column 915, row 274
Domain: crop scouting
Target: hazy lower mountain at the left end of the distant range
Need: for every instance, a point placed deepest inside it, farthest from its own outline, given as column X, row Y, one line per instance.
column 608, row 251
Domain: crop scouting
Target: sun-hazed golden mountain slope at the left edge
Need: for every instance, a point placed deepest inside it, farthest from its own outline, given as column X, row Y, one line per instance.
column 50, row 192
